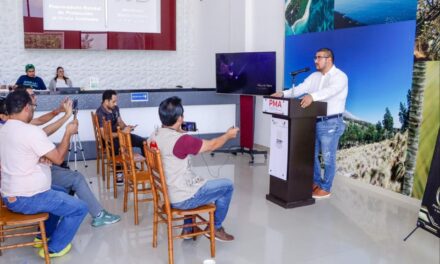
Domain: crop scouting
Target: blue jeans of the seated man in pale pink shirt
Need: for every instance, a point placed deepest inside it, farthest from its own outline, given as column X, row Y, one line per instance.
column 65, row 214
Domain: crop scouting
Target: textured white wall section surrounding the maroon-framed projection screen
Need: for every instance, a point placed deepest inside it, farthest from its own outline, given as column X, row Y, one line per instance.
column 115, row 69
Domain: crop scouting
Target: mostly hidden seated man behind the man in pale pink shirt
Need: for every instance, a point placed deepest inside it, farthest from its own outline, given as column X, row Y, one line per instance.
column 72, row 180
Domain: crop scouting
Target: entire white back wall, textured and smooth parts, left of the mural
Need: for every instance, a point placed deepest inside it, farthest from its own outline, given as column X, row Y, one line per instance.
column 203, row 28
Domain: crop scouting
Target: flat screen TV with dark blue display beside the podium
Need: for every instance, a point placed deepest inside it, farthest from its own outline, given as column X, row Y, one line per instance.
column 251, row 73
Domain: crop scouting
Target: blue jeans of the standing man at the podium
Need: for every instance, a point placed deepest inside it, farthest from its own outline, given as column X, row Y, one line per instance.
column 328, row 133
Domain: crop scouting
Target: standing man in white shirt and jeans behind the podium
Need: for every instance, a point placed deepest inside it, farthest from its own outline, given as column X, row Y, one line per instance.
column 327, row 84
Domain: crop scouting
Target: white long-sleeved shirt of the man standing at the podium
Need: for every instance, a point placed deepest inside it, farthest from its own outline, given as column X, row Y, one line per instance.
column 331, row 88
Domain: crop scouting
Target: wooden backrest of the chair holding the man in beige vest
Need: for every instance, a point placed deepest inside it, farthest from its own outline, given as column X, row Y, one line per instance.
column 158, row 180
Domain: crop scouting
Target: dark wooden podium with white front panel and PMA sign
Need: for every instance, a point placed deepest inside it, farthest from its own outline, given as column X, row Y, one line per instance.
column 292, row 150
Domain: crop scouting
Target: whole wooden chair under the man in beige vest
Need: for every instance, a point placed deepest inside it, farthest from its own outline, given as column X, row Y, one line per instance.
column 164, row 213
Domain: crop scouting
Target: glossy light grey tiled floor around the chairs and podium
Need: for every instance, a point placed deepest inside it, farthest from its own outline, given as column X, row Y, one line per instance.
column 358, row 224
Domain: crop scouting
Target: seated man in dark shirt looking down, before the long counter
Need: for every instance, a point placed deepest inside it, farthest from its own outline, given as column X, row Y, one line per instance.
column 109, row 110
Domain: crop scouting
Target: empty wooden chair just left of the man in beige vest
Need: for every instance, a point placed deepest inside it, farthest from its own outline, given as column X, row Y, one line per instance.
column 136, row 180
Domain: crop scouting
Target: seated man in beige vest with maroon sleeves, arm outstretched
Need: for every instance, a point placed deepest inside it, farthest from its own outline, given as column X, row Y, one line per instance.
column 186, row 189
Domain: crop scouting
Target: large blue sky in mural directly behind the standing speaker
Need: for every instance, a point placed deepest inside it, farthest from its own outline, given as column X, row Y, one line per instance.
column 377, row 59
